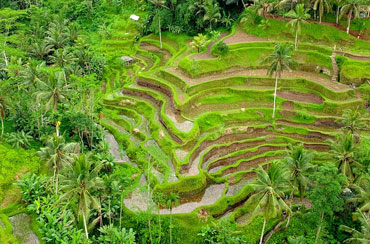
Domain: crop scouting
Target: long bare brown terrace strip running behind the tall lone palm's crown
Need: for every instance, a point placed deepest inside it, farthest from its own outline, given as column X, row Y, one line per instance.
column 318, row 78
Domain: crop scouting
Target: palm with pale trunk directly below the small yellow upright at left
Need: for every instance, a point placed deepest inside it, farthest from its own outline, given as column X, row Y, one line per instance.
column 57, row 154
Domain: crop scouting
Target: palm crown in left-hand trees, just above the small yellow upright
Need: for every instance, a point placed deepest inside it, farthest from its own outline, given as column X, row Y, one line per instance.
column 53, row 90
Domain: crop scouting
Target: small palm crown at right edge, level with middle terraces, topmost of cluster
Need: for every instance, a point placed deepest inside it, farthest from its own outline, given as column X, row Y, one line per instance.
column 352, row 120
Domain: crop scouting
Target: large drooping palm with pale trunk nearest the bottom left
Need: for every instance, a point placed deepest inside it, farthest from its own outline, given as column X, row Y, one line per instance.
column 79, row 182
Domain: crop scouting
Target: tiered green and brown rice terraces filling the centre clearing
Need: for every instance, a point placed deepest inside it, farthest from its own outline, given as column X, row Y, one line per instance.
column 204, row 131
